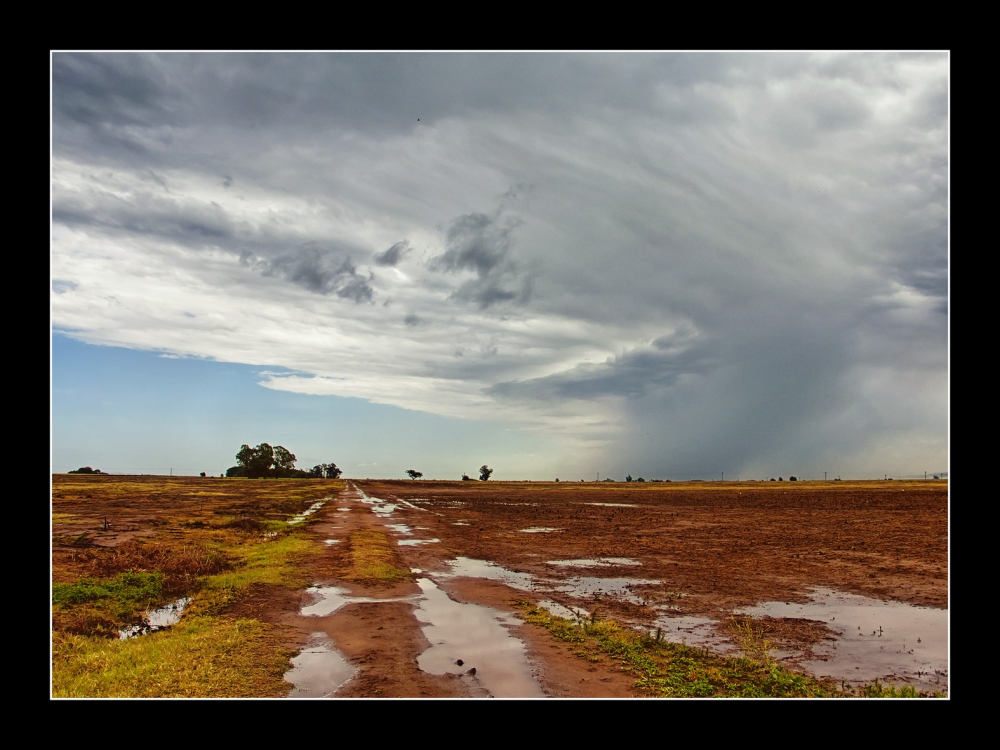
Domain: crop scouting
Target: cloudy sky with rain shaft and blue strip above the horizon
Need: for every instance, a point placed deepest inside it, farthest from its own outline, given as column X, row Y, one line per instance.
column 669, row 265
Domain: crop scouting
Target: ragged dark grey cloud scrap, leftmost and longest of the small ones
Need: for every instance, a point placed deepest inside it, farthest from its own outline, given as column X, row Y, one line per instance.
column 317, row 270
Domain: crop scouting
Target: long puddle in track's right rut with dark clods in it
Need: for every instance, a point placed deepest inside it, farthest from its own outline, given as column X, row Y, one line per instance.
column 477, row 636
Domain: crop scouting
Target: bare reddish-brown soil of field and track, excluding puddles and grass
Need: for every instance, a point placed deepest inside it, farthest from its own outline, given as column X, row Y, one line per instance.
column 713, row 547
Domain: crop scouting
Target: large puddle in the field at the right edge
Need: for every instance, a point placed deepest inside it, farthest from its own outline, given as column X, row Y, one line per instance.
column 876, row 639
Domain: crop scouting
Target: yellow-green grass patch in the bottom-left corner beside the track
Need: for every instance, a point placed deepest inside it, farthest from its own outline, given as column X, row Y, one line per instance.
column 200, row 657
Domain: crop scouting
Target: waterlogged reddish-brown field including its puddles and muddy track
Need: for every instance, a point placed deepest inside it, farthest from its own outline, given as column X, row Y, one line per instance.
column 435, row 589
